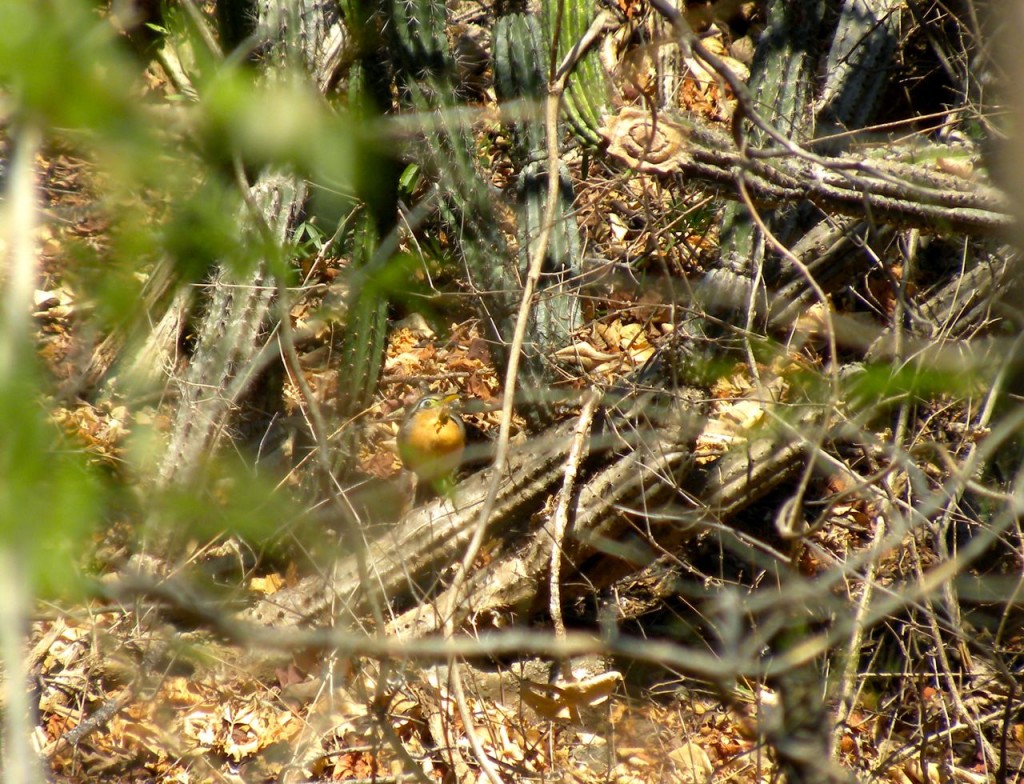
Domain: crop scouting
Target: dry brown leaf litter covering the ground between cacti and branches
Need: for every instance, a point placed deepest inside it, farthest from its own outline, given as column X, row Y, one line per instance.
column 129, row 691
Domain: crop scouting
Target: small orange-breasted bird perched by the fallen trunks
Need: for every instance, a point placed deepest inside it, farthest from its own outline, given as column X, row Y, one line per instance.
column 432, row 441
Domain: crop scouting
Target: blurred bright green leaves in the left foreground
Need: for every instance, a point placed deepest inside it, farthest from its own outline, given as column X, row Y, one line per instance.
column 167, row 181
